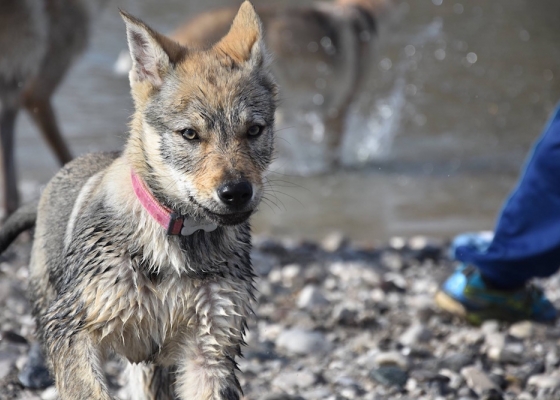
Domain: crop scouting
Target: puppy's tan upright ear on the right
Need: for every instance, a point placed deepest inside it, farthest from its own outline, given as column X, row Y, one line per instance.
column 243, row 42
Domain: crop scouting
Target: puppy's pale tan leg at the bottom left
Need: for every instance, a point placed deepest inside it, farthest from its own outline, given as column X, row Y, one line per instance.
column 76, row 364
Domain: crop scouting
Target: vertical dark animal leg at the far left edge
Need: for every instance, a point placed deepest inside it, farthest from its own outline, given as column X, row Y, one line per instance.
column 7, row 123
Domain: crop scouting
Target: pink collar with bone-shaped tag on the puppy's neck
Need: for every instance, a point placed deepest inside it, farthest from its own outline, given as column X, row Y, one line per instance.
column 173, row 223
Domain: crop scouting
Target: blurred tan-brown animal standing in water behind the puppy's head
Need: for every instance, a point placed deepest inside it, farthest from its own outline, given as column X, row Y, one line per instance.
column 322, row 53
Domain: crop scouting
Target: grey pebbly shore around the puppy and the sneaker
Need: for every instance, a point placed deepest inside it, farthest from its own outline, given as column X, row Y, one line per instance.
column 341, row 321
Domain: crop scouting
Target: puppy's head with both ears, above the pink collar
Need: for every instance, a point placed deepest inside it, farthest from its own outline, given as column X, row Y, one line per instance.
column 204, row 118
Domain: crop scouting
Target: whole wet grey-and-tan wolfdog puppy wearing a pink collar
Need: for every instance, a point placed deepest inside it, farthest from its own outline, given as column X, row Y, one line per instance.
column 146, row 253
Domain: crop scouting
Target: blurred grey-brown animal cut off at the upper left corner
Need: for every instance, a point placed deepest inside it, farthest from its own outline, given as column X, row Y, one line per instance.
column 39, row 40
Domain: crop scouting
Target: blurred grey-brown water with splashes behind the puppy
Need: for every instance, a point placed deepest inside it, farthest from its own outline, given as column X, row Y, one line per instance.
column 458, row 92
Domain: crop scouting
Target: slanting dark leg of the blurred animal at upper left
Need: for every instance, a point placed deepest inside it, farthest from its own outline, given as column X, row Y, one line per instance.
column 43, row 115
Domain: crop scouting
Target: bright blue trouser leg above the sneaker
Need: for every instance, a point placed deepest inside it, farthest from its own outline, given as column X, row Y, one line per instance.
column 526, row 240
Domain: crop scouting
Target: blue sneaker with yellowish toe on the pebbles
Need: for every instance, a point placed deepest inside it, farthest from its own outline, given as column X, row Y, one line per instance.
column 466, row 294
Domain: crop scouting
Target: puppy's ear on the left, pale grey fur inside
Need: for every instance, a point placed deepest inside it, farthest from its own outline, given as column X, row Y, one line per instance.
column 152, row 53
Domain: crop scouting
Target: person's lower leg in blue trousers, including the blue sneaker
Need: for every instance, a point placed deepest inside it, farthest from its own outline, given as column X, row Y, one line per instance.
column 492, row 279
